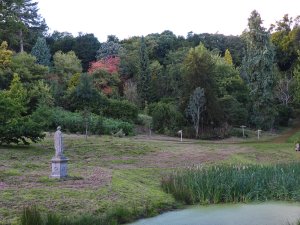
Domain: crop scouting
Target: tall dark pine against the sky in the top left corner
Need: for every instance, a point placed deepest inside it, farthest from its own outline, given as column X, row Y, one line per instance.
column 21, row 23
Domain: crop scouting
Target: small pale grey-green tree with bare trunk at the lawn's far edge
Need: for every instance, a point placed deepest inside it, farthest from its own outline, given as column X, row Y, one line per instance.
column 196, row 107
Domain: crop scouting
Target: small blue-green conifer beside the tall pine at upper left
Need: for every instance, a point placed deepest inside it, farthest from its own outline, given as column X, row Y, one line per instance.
column 41, row 51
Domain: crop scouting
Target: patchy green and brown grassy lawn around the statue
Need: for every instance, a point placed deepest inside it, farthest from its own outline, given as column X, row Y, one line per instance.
column 106, row 172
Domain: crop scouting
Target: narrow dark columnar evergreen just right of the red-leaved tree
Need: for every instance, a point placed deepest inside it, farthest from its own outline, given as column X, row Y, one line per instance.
column 144, row 74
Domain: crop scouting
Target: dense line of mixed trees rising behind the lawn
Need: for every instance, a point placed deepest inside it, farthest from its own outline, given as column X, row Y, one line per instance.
column 203, row 84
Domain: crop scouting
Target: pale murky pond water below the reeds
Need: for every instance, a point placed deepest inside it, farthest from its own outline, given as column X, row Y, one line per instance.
column 271, row 213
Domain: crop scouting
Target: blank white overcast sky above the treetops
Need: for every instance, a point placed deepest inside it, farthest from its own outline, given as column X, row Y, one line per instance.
column 127, row 18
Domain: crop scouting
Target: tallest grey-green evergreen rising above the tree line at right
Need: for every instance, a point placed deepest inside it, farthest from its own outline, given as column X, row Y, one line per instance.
column 258, row 69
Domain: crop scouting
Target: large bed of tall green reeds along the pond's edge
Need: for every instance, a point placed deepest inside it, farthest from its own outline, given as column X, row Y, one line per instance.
column 224, row 184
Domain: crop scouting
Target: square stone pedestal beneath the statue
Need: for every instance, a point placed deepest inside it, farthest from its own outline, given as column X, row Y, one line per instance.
column 59, row 167
